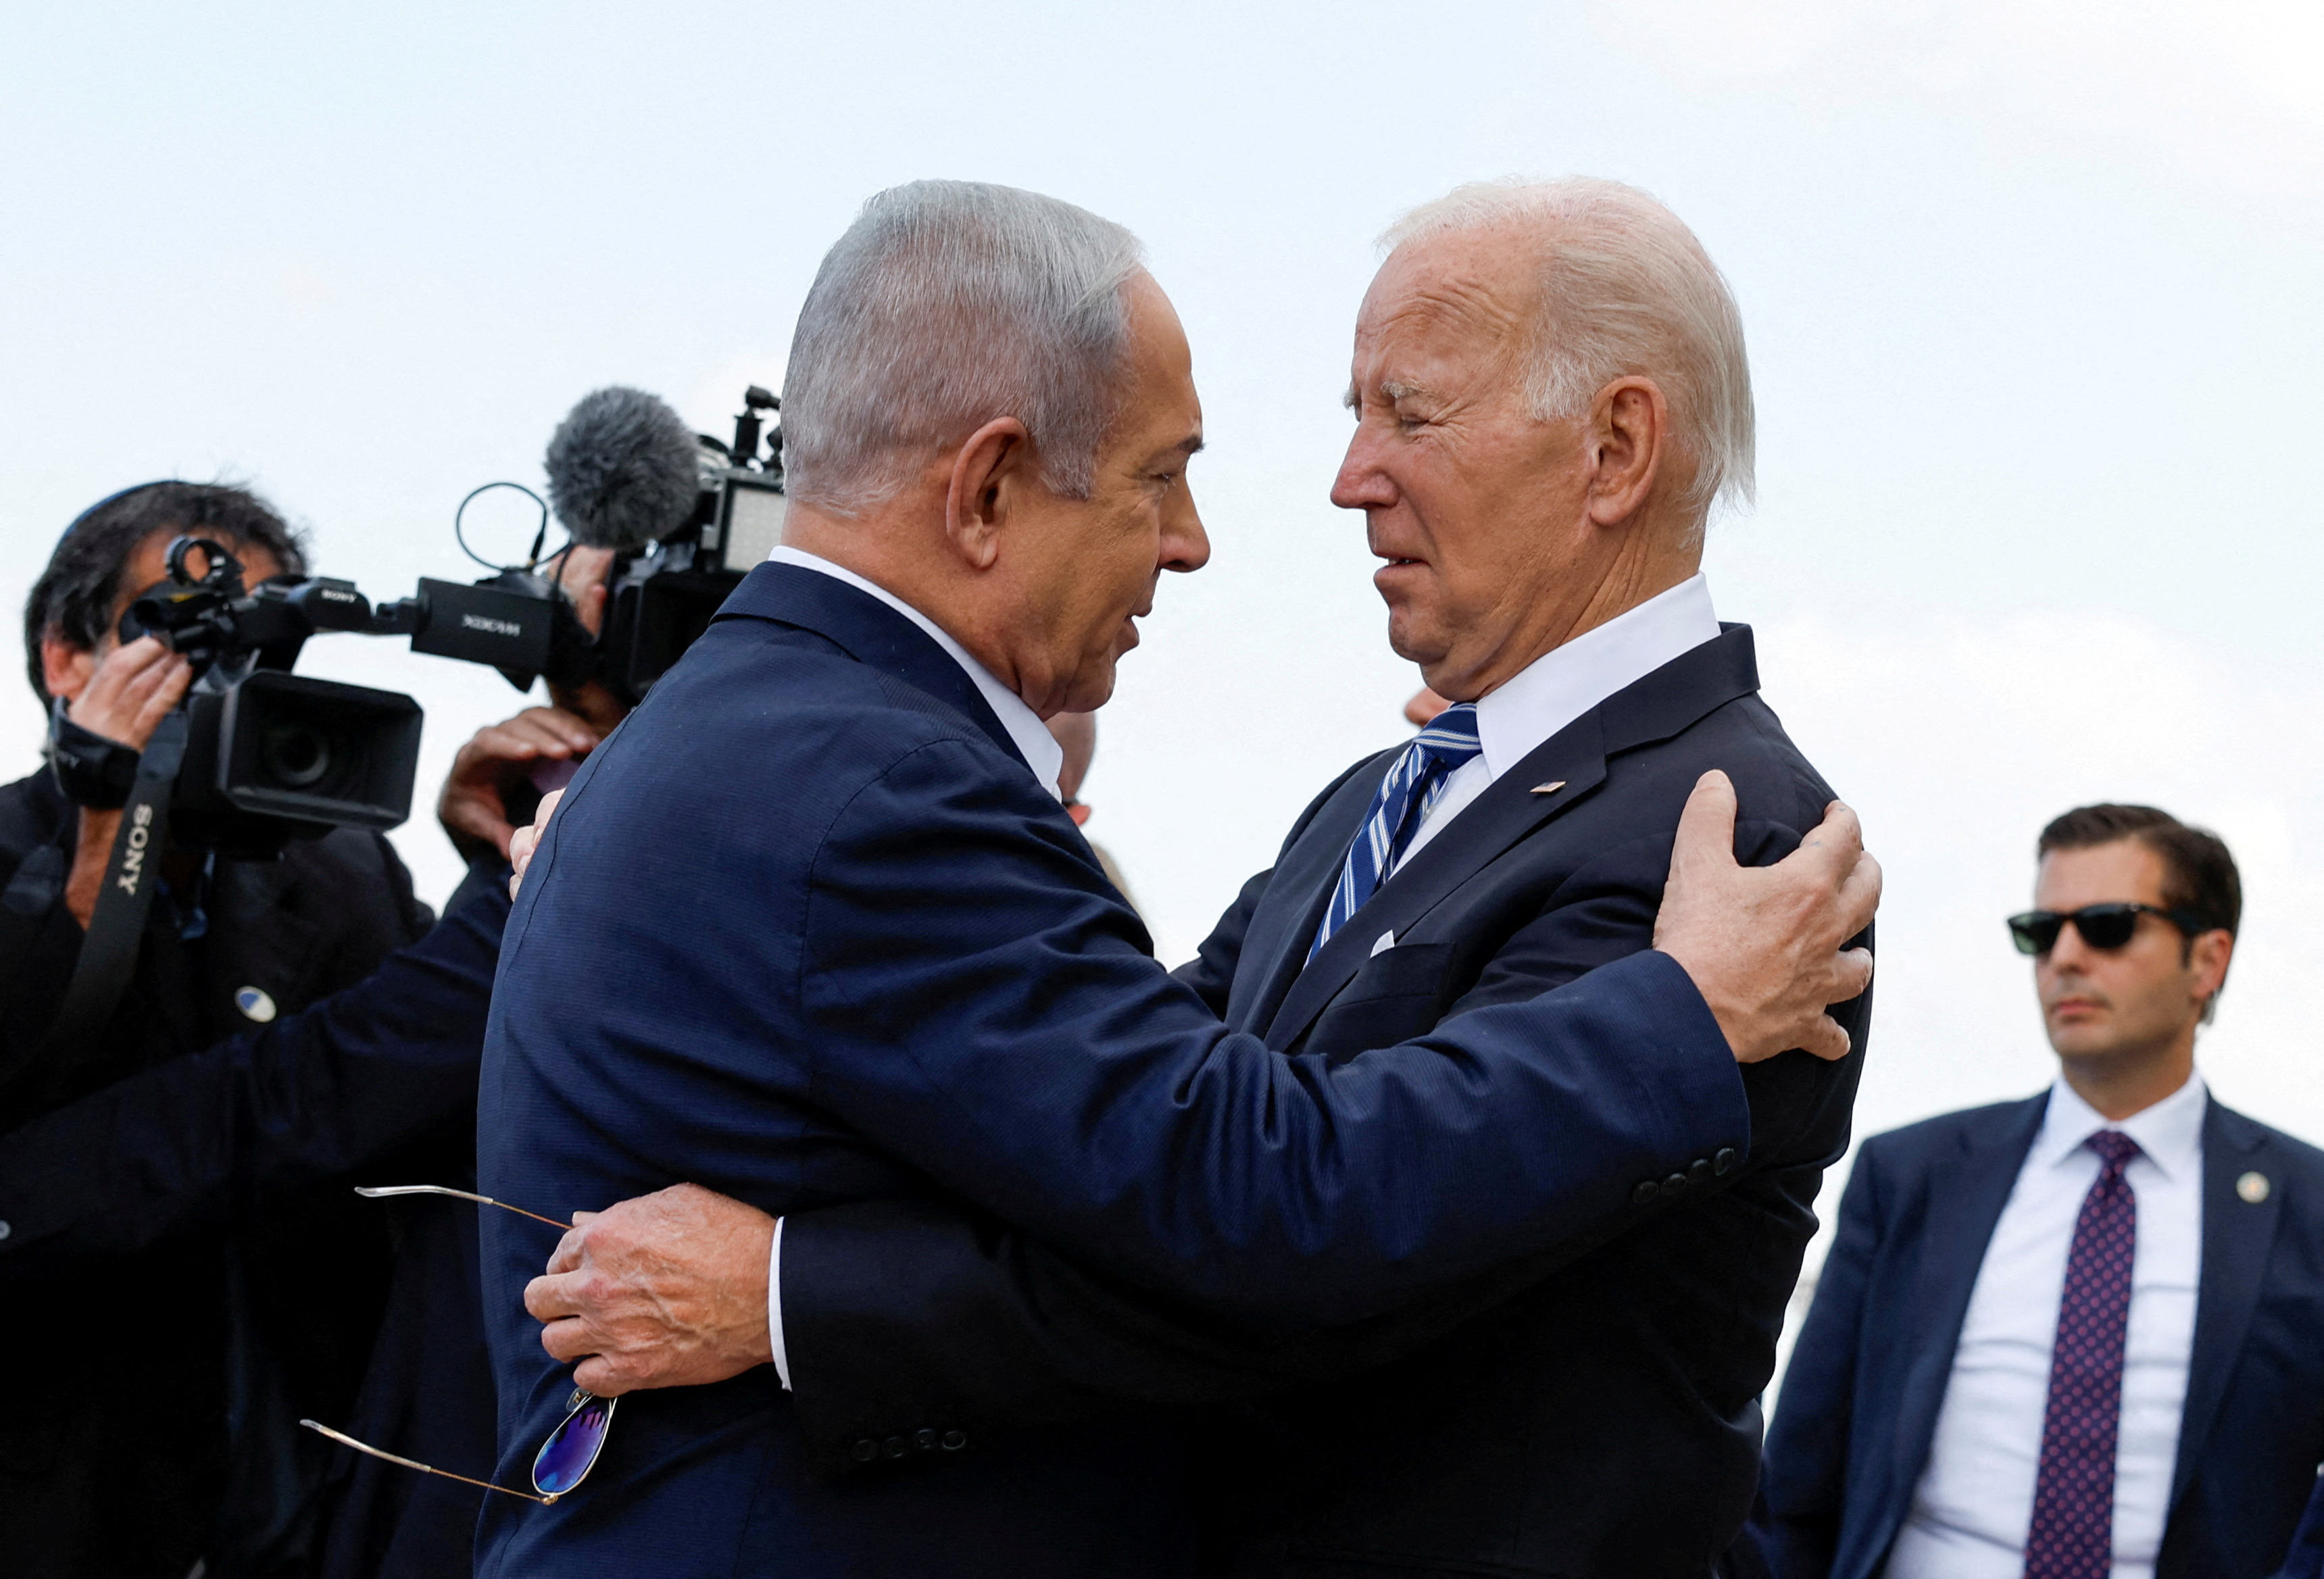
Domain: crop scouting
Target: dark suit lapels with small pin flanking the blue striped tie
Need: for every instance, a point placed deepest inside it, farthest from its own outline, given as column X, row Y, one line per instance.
column 1654, row 709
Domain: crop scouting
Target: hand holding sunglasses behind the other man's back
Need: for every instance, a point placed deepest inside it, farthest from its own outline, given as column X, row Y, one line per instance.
column 668, row 1290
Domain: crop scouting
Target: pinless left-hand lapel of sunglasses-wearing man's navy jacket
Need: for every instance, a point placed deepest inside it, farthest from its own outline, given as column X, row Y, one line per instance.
column 1967, row 1195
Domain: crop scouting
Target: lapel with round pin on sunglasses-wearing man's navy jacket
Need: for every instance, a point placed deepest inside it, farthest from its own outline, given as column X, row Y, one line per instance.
column 2237, row 1241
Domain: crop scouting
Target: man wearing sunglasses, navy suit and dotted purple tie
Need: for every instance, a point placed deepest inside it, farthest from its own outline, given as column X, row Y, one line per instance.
column 2081, row 1334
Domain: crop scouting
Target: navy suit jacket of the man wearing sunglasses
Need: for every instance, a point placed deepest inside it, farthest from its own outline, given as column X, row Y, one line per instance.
column 1874, row 1357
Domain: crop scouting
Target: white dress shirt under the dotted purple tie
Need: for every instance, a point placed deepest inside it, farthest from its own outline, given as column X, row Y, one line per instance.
column 1977, row 1497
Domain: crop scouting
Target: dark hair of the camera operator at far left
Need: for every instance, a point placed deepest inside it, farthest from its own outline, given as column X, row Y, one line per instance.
column 76, row 598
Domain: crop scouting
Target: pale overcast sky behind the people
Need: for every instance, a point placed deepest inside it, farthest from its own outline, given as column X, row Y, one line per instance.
column 2032, row 298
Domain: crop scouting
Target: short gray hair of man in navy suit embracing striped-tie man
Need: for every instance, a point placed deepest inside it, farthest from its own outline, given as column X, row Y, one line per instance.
column 942, row 308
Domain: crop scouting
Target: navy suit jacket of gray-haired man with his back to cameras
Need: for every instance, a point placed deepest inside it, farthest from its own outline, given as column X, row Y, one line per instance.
column 808, row 932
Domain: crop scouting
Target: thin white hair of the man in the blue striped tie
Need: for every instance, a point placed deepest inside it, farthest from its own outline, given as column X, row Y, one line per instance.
column 1628, row 291
